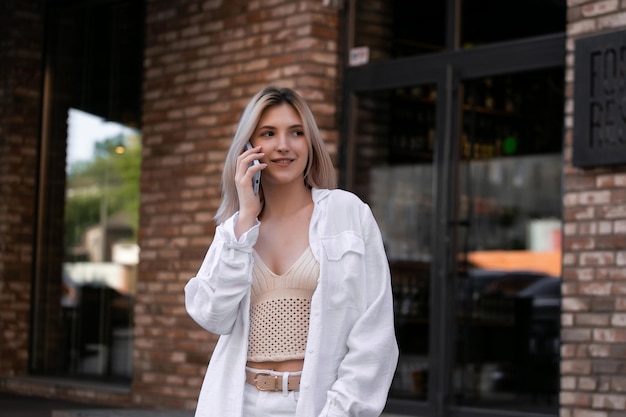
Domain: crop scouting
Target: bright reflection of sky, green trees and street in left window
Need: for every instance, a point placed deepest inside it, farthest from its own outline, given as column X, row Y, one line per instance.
column 101, row 252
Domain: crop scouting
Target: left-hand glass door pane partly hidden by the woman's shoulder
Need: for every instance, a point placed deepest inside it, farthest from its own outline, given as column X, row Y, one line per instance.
column 393, row 154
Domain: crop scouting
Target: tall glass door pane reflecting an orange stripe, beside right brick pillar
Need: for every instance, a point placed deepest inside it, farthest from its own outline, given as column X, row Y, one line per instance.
column 509, row 242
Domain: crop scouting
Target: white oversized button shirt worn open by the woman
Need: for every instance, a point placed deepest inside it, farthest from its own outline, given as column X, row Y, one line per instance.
column 351, row 352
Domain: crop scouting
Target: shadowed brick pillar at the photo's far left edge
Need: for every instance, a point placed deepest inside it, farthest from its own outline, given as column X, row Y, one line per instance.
column 21, row 34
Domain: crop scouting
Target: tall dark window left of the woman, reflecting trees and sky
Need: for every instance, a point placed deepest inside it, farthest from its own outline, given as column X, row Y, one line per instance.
column 89, row 192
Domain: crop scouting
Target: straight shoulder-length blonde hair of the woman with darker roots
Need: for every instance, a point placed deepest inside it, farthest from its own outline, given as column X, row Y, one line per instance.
column 319, row 172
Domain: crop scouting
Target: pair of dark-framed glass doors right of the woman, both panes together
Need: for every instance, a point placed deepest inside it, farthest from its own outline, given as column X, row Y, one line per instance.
column 471, row 221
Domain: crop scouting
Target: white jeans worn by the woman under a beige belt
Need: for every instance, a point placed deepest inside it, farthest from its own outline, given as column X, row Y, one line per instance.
column 269, row 403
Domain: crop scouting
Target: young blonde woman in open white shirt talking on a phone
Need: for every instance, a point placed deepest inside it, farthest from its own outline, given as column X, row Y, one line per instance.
column 296, row 280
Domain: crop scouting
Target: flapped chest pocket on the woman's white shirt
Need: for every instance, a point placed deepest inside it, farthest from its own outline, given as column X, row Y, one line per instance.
column 344, row 253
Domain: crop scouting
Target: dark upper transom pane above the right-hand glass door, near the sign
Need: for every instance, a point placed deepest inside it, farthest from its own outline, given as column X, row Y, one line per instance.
column 491, row 21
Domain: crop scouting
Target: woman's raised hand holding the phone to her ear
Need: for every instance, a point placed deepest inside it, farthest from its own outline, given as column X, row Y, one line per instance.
column 249, row 203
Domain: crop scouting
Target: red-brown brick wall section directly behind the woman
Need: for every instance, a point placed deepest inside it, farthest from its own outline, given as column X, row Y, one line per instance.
column 203, row 61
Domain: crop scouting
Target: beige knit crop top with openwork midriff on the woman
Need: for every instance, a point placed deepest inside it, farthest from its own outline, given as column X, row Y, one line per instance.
column 280, row 306
